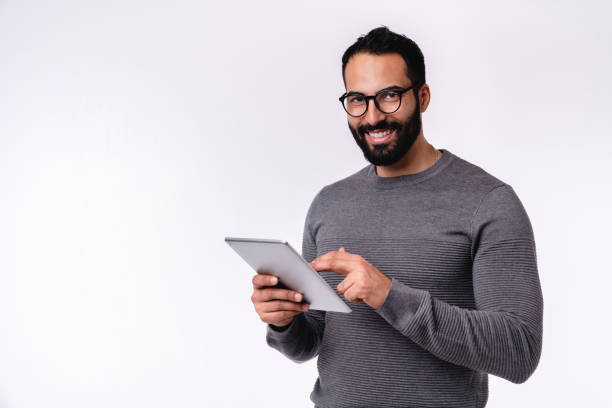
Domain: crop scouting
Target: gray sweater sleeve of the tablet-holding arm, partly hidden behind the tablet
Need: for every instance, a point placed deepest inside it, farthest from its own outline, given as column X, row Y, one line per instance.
column 301, row 339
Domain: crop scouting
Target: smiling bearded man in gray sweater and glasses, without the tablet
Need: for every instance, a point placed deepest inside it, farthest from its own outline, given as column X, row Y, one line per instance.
column 435, row 257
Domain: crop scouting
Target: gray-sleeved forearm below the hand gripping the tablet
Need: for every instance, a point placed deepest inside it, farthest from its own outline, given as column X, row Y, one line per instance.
column 300, row 341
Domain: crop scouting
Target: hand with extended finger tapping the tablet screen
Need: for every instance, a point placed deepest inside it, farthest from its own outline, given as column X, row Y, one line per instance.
column 363, row 282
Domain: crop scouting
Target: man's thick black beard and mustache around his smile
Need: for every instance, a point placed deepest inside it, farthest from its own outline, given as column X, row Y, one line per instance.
column 389, row 153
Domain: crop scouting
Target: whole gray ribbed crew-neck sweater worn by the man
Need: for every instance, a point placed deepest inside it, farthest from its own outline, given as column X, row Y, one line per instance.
column 465, row 298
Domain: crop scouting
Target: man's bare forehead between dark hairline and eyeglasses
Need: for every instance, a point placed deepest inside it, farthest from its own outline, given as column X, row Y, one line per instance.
column 369, row 73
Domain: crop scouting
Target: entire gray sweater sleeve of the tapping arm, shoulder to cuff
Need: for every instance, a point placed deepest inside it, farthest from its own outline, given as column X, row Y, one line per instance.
column 503, row 334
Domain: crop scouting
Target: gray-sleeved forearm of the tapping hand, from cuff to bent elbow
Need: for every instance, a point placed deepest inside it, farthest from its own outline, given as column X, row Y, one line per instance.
column 496, row 342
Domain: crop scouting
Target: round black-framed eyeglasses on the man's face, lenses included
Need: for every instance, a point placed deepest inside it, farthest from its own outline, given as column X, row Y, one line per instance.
column 387, row 100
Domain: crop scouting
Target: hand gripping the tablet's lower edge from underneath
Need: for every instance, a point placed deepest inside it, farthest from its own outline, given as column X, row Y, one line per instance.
column 275, row 306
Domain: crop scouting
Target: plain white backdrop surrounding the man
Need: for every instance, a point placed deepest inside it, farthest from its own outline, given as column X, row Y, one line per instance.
column 136, row 135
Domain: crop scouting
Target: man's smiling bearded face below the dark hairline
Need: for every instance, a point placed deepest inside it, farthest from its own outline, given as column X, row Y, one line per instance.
column 369, row 73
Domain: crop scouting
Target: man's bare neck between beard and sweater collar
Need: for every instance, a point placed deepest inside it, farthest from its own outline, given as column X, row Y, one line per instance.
column 420, row 157
